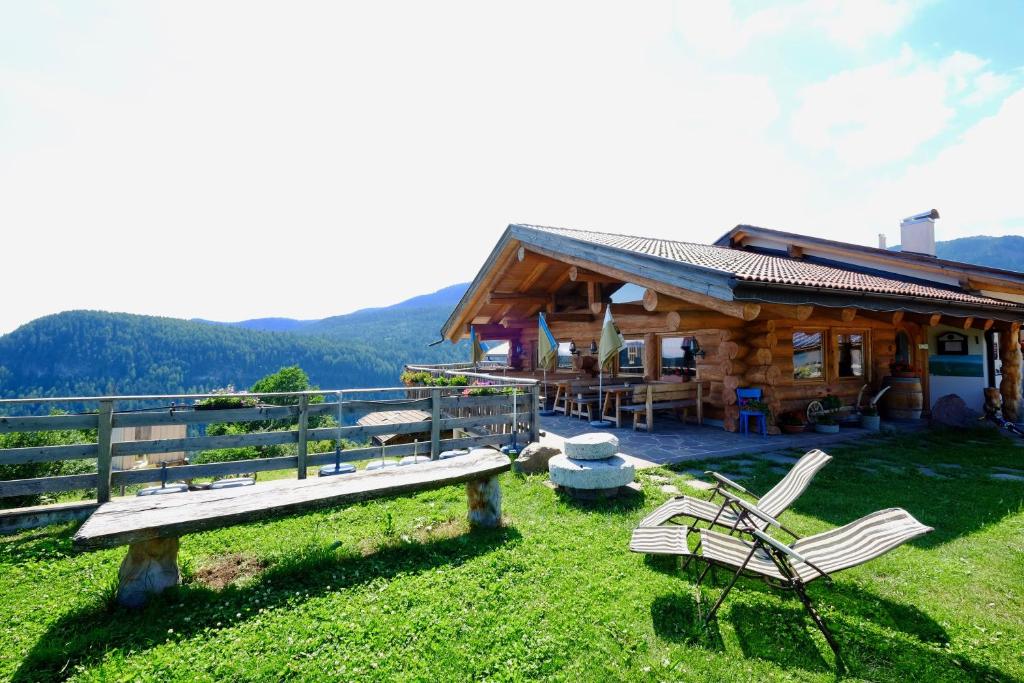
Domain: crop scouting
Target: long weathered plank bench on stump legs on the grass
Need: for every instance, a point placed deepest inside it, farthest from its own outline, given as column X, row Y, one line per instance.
column 152, row 527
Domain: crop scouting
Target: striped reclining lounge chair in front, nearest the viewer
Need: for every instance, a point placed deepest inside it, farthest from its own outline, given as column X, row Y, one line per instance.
column 793, row 567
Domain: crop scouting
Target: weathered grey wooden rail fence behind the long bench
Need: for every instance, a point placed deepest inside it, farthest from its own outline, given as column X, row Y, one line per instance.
column 483, row 420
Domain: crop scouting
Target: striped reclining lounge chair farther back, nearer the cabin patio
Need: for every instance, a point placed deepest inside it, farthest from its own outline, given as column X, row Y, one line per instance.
column 731, row 511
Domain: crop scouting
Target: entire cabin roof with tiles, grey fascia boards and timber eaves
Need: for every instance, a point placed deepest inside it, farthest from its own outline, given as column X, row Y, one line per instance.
column 731, row 272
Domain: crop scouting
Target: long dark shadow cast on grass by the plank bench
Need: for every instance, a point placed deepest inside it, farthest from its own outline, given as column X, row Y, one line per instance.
column 86, row 636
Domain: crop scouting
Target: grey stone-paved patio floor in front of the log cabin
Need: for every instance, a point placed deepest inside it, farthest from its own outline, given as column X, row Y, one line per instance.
column 674, row 443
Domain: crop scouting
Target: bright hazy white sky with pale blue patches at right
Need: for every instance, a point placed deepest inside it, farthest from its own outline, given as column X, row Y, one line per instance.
column 234, row 160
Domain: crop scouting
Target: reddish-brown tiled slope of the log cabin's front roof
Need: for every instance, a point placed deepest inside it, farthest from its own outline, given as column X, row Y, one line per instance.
column 759, row 268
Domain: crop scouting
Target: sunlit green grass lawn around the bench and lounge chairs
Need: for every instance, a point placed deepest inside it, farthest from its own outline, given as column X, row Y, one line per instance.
column 402, row 590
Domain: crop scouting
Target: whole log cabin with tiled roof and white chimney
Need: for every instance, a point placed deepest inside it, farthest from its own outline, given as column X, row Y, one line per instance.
column 798, row 317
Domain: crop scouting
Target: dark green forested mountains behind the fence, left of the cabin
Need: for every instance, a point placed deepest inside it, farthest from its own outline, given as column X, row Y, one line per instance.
column 95, row 353
